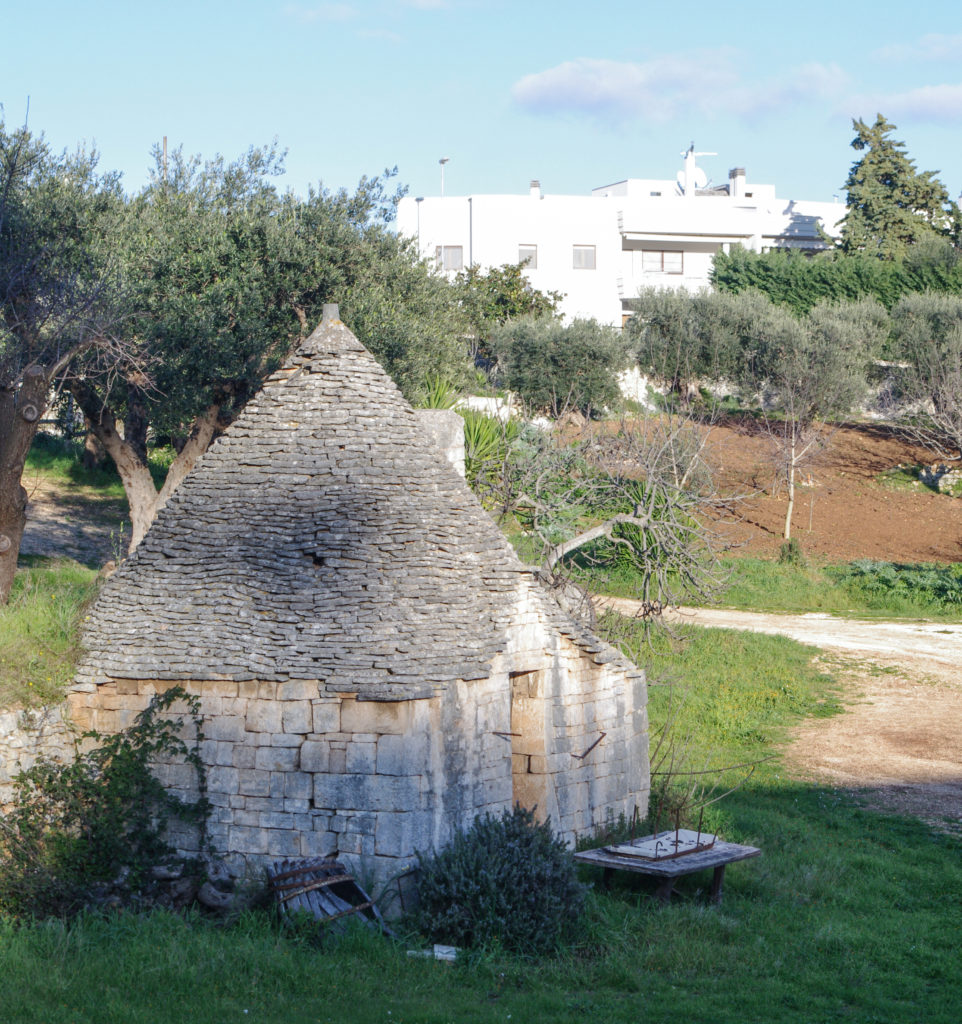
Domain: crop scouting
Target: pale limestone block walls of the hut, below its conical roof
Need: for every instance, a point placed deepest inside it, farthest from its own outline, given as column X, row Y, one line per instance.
column 292, row 774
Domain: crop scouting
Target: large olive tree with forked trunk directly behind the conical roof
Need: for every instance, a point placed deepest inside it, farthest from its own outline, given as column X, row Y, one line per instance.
column 226, row 275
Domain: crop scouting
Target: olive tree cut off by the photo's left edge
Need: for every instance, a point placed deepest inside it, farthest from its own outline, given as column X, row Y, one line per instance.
column 59, row 298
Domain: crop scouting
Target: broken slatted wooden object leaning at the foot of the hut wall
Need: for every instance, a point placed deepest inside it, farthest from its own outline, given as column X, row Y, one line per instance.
column 325, row 889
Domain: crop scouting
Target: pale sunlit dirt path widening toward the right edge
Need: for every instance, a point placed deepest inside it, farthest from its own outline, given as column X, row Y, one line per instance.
column 899, row 745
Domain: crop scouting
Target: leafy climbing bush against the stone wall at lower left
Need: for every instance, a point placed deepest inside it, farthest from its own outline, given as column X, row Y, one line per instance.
column 79, row 826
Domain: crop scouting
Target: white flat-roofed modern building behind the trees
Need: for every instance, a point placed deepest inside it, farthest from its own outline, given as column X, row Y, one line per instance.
column 600, row 250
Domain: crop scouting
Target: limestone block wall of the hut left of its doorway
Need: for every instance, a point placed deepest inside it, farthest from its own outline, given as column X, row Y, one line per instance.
column 295, row 775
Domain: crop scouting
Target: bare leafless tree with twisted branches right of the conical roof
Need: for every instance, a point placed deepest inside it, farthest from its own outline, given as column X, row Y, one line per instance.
column 625, row 499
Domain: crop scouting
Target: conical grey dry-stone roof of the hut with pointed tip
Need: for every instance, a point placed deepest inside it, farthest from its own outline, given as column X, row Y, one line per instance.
column 322, row 538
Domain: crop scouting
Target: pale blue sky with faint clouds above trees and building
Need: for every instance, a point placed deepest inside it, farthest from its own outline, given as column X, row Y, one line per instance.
column 576, row 95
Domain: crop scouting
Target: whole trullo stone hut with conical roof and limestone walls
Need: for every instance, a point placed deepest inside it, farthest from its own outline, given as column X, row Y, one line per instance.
column 375, row 666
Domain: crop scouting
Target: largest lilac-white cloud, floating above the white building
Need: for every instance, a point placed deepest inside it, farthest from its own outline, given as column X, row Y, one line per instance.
column 707, row 82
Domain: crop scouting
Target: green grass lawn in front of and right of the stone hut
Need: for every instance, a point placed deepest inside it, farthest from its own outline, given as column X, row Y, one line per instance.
column 848, row 916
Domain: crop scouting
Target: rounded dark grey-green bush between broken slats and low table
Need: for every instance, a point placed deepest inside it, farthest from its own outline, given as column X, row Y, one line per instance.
column 508, row 880
